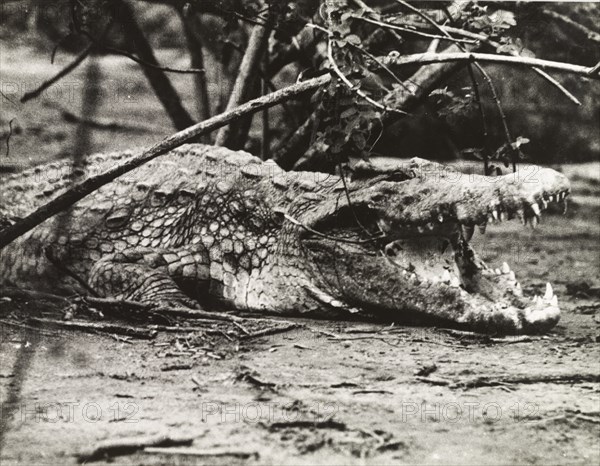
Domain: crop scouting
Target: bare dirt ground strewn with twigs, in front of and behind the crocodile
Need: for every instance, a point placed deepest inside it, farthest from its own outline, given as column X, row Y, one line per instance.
column 322, row 392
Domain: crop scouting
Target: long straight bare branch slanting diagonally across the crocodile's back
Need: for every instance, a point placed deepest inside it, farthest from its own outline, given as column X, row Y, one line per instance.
column 82, row 189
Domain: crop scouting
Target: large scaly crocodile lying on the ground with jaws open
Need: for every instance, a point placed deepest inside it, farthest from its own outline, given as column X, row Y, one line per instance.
column 205, row 226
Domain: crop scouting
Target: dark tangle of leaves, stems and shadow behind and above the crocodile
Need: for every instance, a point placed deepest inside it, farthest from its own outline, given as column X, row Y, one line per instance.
column 454, row 114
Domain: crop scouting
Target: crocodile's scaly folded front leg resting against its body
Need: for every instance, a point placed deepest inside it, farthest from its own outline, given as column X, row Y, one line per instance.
column 151, row 276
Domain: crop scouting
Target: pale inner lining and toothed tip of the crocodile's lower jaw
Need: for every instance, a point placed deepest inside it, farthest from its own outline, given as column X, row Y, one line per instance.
column 491, row 298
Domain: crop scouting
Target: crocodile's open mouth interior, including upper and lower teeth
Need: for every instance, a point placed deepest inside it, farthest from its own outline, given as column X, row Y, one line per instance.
column 438, row 255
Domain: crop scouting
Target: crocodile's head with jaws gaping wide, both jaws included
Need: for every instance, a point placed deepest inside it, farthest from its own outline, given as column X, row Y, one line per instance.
column 402, row 249
